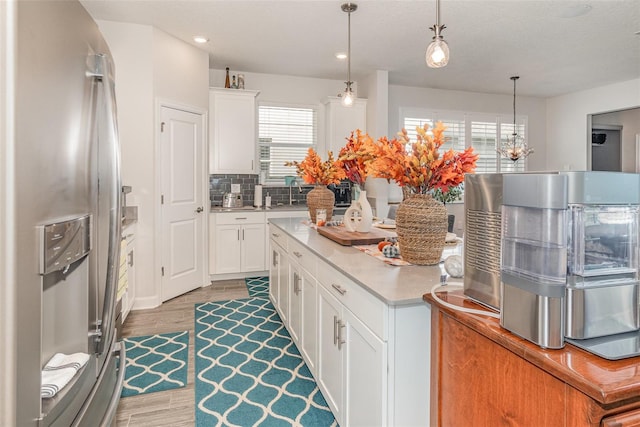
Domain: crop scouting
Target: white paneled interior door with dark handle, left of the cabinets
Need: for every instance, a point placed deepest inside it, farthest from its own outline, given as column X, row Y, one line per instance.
column 183, row 209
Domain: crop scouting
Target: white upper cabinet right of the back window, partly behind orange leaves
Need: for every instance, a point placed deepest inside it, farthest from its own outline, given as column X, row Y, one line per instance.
column 341, row 121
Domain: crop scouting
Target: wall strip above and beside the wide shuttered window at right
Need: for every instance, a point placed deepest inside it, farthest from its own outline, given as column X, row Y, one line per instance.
column 450, row 100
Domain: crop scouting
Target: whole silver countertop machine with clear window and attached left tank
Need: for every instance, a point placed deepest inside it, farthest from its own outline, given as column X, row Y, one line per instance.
column 570, row 258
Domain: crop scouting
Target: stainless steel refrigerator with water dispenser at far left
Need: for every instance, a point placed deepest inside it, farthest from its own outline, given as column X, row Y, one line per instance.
column 66, row 205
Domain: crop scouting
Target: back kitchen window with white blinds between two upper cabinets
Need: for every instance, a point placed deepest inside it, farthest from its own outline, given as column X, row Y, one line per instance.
column 285, row 134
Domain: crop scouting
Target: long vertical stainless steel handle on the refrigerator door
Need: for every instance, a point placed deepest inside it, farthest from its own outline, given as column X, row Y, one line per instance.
column 104, row 74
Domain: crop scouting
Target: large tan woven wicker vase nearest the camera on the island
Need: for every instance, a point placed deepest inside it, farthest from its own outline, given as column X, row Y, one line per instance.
column 421, row 224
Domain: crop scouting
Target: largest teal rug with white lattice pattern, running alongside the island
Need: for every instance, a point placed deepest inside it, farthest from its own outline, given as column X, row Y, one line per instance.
column 248, row 370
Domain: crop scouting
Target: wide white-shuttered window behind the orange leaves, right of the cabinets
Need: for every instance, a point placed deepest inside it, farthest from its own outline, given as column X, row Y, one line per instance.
column 483, row 132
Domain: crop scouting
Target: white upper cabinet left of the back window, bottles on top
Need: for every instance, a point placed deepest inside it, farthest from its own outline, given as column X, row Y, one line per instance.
column 233, row 131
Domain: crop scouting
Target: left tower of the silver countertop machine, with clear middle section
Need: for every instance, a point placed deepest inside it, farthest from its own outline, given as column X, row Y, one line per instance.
column 534, row 257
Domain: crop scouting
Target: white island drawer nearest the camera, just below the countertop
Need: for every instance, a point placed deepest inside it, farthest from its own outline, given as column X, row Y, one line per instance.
column 366, row 307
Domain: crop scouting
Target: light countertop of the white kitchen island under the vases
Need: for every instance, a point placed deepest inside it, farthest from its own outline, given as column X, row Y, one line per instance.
column 395, row 285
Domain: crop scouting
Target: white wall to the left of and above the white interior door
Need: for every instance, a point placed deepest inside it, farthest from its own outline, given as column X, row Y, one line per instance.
column 150, row 65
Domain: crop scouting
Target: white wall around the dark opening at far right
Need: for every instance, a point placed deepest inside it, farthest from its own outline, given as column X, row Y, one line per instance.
column 568, row 132
